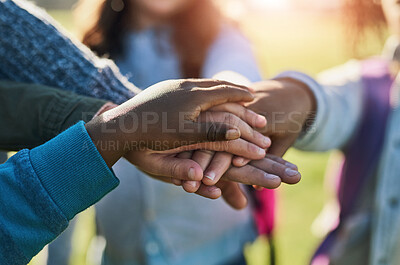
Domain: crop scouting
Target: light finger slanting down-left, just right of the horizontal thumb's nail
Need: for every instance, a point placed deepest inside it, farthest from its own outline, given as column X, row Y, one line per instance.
column 217, row 167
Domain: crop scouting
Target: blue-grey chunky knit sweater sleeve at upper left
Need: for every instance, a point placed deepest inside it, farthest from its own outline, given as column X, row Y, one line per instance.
column 34, row 49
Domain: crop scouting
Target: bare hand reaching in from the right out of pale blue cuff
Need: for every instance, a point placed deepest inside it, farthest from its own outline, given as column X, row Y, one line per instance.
column 288, row 105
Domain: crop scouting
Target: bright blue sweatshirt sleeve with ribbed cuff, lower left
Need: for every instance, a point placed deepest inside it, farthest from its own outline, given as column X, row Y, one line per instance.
column 42, row 189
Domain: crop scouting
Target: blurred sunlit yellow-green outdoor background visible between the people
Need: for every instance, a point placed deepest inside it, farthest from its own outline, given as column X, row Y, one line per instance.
column 303, row 35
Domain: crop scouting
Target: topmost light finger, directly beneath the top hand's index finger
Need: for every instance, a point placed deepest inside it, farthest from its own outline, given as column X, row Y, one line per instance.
column 248, row 116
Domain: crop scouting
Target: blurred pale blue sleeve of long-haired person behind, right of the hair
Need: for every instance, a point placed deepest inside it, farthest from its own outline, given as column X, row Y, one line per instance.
column 231, row 51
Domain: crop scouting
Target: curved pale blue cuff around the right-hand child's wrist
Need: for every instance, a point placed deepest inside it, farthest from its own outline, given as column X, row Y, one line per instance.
column 308, row 136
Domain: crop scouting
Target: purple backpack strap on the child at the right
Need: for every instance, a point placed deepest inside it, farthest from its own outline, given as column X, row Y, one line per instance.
column 363, row 152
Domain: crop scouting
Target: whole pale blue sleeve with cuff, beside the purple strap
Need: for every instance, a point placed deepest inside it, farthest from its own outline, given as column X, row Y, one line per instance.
column 339, row 99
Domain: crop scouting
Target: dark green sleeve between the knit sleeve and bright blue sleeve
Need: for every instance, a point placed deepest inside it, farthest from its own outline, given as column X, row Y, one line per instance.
column 32, row 114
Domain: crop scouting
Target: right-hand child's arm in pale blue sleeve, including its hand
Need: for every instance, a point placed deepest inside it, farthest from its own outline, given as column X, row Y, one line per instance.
column 313, row 116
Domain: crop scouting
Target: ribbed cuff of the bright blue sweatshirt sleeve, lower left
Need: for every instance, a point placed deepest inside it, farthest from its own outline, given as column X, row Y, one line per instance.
column 72, row 171
